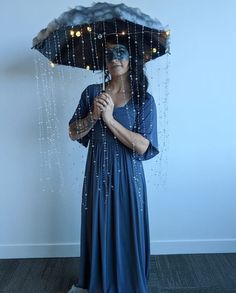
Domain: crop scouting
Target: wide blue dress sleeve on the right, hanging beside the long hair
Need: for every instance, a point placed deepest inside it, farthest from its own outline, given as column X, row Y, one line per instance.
column 146, row 125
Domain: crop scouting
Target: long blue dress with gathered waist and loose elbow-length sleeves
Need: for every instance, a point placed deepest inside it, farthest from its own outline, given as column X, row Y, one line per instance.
column 115, row 241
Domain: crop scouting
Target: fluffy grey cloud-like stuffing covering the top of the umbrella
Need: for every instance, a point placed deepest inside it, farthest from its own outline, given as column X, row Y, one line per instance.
column 97, row 12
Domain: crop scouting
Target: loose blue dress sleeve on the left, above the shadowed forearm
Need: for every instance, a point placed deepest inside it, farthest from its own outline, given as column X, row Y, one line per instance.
column 81, row 112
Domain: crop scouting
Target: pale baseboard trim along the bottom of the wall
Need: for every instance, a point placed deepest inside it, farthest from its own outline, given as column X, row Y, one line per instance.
column 158, row 247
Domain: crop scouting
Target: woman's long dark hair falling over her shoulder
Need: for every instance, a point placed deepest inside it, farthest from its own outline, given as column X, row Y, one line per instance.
column 138, row 79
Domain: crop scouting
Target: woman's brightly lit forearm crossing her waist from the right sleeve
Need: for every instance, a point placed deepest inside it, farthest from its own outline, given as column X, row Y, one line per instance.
column 132, row 140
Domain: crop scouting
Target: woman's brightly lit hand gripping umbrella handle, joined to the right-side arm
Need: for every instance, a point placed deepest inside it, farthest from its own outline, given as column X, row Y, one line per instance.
column 106, row 105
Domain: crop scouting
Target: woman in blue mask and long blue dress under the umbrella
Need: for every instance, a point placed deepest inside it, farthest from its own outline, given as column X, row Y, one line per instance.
column 121, row 126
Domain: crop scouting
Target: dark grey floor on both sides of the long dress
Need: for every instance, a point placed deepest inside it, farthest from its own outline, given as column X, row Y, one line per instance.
column 203, row 273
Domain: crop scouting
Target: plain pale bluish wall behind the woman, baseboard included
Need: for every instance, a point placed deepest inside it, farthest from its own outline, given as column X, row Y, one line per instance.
column 194, row 211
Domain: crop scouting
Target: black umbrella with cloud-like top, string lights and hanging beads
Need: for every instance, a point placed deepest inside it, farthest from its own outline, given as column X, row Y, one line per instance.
column 78, row 37
